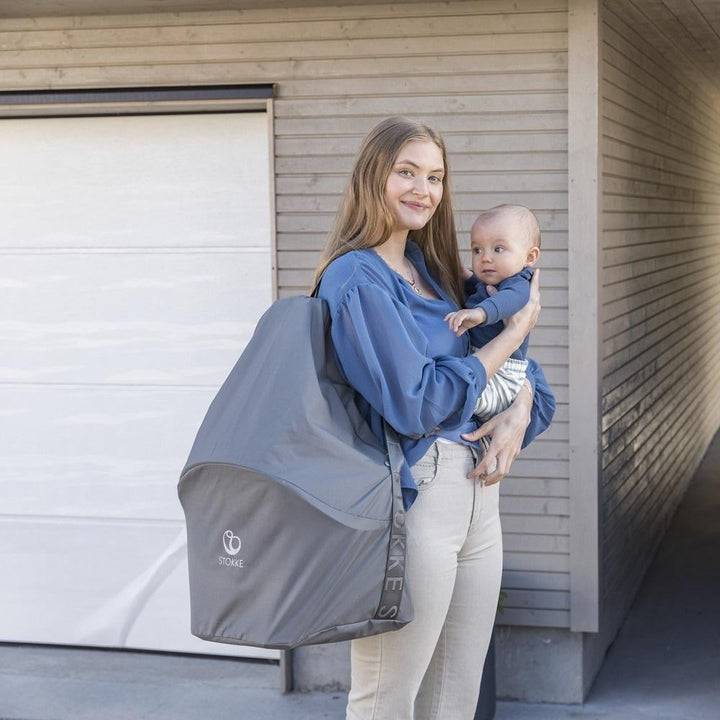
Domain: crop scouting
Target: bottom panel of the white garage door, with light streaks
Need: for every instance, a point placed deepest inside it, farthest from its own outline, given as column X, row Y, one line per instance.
column 95, row 585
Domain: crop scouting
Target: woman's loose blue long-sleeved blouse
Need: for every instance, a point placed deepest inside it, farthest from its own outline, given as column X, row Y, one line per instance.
column 406, row 365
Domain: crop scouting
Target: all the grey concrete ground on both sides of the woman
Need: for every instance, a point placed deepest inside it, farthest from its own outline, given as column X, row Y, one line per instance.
column 664, row 665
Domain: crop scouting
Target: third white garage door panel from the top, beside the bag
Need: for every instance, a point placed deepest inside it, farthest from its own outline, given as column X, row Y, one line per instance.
column 97, row 453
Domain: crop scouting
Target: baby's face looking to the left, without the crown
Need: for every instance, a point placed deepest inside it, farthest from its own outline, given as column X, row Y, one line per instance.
column 500, row 248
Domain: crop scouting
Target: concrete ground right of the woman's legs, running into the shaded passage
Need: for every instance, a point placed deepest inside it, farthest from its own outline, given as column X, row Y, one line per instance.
column 665, row 662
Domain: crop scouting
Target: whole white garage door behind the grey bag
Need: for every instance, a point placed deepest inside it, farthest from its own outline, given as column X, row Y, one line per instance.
column 135, row 259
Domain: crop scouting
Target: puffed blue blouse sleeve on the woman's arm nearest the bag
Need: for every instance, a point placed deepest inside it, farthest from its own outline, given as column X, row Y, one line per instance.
column 383, row 355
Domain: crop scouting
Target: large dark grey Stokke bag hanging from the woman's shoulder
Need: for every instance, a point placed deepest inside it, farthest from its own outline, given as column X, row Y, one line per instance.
column 294, row 517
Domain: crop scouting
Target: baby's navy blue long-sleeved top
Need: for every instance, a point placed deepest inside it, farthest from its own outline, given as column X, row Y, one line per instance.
column 512, row 294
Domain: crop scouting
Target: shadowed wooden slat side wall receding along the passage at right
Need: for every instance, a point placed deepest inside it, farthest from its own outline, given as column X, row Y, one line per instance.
column 661, row 271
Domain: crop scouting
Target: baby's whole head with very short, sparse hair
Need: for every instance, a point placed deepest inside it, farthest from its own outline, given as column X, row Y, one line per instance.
column 503, row 241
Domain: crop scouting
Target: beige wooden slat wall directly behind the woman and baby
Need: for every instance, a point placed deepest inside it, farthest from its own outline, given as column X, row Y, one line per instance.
column 490, row 75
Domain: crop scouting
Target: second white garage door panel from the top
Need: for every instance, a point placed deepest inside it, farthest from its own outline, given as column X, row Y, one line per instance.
column 156, row 319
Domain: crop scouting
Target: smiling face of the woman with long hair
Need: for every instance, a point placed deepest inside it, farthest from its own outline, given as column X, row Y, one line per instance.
column 415, row 185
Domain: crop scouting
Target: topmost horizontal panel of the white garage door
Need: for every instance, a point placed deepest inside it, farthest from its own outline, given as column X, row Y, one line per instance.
column 109, row 185
